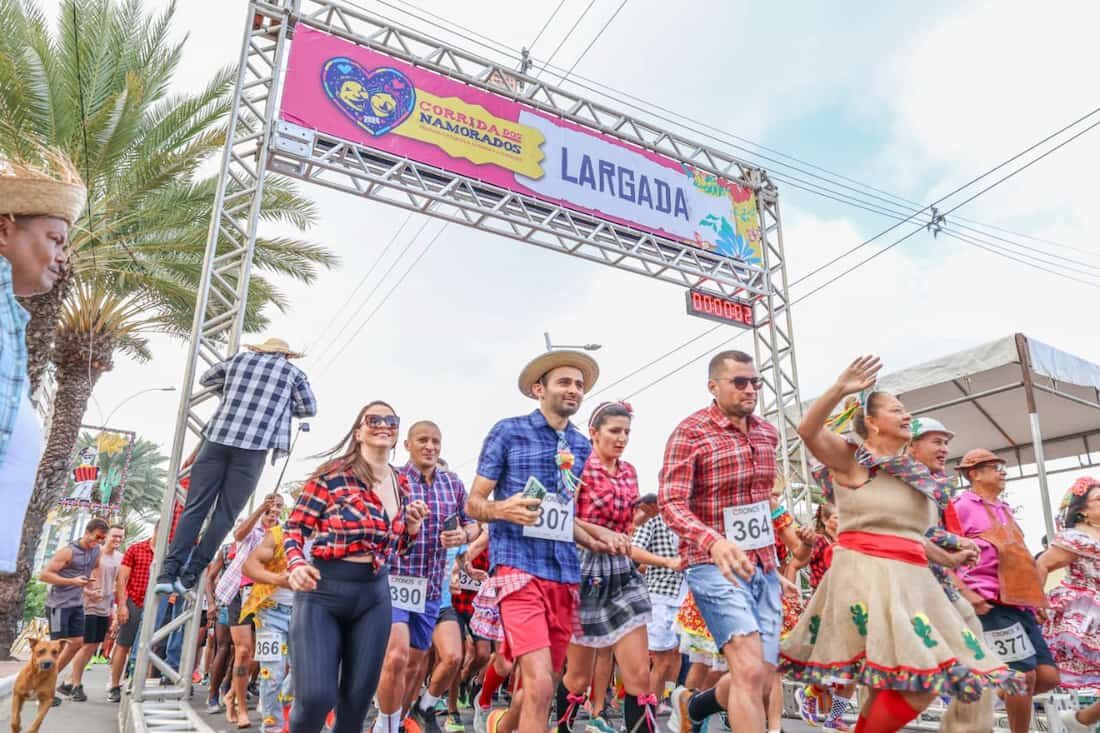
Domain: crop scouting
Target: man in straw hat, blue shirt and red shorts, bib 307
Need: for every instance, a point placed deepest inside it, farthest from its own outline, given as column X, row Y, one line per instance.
column 532, row 466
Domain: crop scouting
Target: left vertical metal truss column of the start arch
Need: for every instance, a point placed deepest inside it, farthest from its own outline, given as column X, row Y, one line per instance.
column 227, row 266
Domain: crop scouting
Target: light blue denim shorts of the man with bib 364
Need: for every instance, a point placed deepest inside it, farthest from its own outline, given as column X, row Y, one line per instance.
column 739, row 609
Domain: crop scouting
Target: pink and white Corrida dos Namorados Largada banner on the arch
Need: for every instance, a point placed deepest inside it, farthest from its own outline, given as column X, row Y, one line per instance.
column 376, row 101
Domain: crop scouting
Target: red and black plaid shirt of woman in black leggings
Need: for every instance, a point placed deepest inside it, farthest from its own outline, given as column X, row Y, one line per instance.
column 346, row 518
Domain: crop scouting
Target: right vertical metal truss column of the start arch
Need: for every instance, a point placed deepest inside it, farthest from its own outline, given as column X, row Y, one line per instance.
column 775, row 354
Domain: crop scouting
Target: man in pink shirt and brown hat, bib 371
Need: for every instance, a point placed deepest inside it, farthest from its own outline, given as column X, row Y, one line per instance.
column 1004, row 586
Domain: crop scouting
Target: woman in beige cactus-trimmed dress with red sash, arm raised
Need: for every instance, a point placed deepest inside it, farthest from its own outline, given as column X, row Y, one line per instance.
column 879, row 618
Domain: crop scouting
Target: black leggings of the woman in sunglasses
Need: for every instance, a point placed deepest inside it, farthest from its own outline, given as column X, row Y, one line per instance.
column 338, row 636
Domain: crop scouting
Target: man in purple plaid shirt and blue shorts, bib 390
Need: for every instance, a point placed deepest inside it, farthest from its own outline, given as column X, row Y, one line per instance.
column 417, row 584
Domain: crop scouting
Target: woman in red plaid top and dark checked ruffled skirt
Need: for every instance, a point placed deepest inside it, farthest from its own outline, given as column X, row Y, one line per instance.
column 615, row 607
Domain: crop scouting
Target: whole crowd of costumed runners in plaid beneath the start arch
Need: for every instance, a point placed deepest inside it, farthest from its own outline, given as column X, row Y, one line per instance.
column 391, row 598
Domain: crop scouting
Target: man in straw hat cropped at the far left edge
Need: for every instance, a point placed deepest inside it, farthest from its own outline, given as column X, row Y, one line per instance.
column 40, row 200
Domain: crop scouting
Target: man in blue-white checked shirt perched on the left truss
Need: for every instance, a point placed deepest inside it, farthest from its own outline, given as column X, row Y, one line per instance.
column 261, row 391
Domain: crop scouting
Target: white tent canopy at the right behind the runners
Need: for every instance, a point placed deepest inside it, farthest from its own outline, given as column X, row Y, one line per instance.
column 1011, row 397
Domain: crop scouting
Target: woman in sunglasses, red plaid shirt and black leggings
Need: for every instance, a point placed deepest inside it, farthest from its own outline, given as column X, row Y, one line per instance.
column 357, row 509
